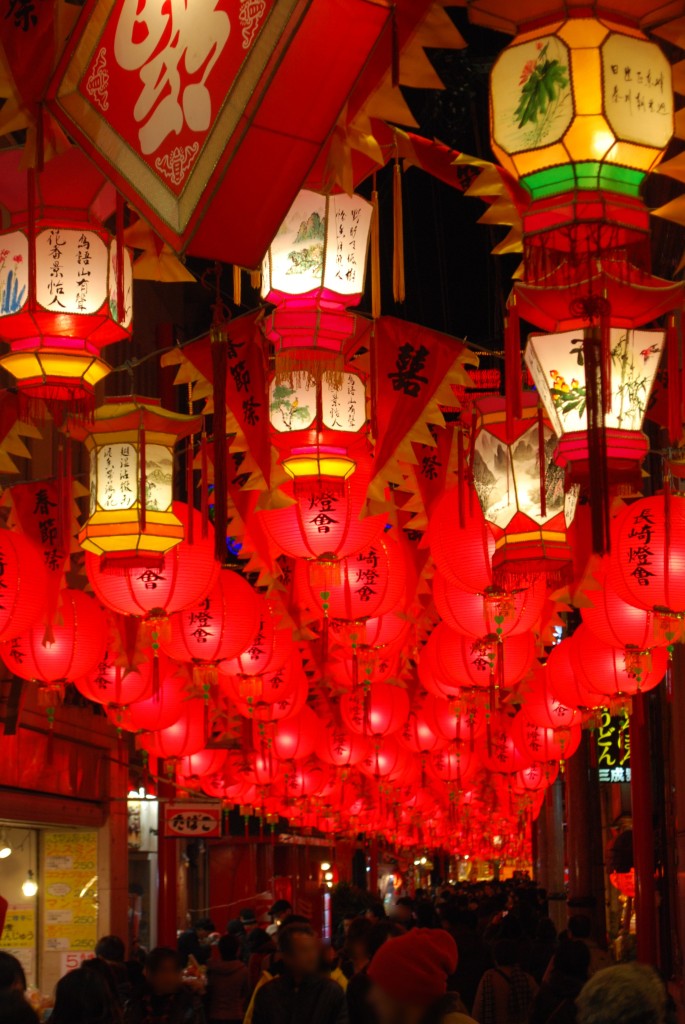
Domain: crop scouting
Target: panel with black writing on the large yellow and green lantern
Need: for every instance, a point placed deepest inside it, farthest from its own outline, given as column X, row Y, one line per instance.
column 638, row 94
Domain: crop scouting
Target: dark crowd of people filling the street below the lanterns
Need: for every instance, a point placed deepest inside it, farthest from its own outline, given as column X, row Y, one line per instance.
column 477, row 955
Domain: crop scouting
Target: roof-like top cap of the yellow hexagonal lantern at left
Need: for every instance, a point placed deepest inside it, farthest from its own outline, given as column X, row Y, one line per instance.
column 133, row 413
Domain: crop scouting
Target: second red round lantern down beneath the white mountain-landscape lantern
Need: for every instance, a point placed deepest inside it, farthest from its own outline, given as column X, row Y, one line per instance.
column 450, row 662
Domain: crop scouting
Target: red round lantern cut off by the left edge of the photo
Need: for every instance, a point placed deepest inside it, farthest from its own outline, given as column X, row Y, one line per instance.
column 23, row 584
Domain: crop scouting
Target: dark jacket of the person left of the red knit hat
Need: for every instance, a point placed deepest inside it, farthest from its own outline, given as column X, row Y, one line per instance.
column 317, row 1001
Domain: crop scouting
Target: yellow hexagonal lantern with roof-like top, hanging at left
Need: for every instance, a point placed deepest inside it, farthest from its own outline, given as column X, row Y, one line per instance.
column 132, row 448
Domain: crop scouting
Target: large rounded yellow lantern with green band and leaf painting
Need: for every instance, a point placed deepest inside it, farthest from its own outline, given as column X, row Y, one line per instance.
column 581, row 104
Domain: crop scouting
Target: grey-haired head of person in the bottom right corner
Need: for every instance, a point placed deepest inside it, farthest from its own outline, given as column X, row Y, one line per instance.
column 628, row 994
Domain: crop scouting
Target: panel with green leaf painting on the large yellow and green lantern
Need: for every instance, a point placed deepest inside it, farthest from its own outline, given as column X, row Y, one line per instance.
column 520, row 121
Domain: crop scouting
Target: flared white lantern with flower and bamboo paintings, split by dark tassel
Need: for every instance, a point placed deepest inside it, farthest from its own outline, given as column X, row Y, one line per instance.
column 558, row 367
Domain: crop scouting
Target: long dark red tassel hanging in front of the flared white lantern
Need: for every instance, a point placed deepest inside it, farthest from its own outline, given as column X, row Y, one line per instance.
column 600, row 478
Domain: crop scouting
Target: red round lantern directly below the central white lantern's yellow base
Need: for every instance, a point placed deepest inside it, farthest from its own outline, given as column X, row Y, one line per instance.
column 324, row 522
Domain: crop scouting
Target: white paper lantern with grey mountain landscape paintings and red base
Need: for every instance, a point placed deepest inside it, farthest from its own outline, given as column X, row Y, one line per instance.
column 525, row 504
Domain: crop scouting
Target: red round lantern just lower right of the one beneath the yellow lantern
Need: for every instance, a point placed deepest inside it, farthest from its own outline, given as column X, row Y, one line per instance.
column 221, row 626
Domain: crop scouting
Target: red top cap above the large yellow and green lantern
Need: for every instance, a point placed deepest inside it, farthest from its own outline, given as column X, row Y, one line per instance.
column 503, row 16
